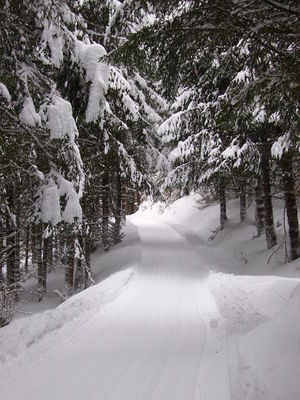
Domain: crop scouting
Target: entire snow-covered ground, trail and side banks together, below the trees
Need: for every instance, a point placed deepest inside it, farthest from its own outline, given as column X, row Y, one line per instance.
column 188, row 313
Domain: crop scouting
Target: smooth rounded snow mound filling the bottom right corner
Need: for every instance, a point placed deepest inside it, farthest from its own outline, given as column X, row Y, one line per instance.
column 272, row 351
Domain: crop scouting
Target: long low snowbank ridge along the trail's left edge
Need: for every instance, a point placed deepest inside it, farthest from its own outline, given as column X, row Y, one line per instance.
column 21, row 334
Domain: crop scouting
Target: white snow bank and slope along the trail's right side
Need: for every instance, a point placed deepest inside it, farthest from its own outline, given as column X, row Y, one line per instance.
column 257, row 300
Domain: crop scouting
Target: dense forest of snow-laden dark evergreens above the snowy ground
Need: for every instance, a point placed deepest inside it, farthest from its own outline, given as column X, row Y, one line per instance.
column 105, row 102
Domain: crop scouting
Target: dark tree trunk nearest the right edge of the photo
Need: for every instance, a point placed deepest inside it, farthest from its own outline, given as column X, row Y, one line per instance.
column 291, row 205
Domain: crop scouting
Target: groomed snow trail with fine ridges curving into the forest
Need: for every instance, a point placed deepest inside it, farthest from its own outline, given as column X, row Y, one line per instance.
column 154, row 342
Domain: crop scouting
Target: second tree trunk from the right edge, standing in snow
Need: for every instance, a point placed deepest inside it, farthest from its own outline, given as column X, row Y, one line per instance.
column 268, row 207
